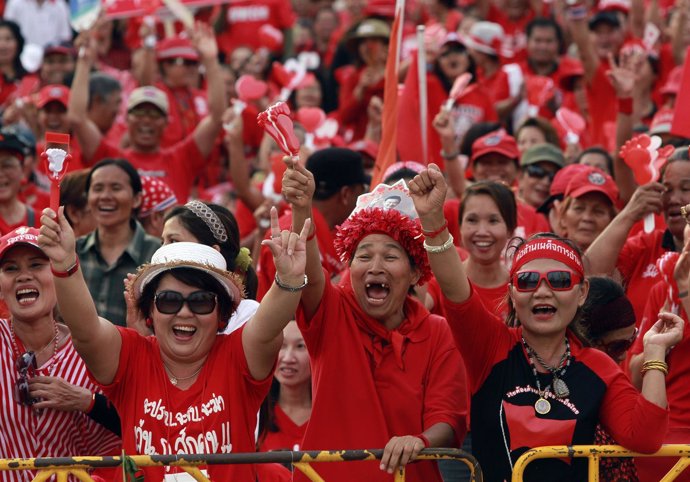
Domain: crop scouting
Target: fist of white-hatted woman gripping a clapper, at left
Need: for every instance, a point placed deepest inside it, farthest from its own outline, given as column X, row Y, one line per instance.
column 57, row 239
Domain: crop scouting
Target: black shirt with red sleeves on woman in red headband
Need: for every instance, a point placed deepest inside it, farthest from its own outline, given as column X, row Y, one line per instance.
column 504, row 392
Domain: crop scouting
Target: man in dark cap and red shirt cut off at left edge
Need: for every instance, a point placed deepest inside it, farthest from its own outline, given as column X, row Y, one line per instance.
column 13, row 212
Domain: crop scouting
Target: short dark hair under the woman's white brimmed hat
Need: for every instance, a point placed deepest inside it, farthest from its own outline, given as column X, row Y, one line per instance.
column 192, row 277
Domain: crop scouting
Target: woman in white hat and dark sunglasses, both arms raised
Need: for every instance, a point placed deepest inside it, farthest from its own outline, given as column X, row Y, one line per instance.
column 199, row 392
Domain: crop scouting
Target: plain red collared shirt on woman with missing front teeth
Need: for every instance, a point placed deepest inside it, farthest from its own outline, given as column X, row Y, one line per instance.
column 367, row 389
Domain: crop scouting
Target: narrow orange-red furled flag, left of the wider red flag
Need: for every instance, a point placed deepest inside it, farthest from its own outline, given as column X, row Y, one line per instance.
column 387, row 148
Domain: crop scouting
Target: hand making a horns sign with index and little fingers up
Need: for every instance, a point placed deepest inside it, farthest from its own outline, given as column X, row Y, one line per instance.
column 289, row 250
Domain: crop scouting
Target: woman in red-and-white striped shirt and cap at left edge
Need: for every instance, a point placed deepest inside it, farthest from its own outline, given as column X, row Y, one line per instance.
column 47, row 399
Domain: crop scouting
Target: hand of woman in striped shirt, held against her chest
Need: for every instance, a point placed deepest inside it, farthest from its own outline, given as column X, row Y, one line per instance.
column 58, row 394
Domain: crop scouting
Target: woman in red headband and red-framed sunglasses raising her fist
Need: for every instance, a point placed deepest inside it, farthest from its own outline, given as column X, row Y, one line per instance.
column 533, row 383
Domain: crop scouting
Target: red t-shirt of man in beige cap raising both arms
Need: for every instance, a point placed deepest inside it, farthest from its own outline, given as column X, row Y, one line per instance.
column 178, row 165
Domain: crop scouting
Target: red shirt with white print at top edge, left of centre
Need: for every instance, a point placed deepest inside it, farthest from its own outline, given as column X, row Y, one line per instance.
column 245, row 17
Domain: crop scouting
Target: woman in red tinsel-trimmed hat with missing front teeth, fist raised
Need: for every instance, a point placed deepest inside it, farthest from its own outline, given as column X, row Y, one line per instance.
column 380, row 361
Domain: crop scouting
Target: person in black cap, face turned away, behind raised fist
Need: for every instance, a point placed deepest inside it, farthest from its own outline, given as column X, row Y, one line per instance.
column 340, row 178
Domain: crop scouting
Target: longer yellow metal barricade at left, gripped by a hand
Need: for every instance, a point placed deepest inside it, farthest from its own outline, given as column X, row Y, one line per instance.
column 62, row 467
